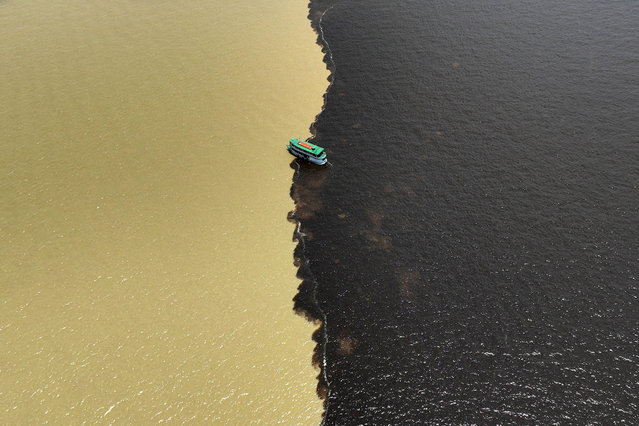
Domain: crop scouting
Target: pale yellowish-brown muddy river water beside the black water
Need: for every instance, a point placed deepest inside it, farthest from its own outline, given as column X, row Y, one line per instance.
column 146, row 263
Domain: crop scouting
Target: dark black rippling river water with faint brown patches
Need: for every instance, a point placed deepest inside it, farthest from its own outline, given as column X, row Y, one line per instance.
column 474, row 247
